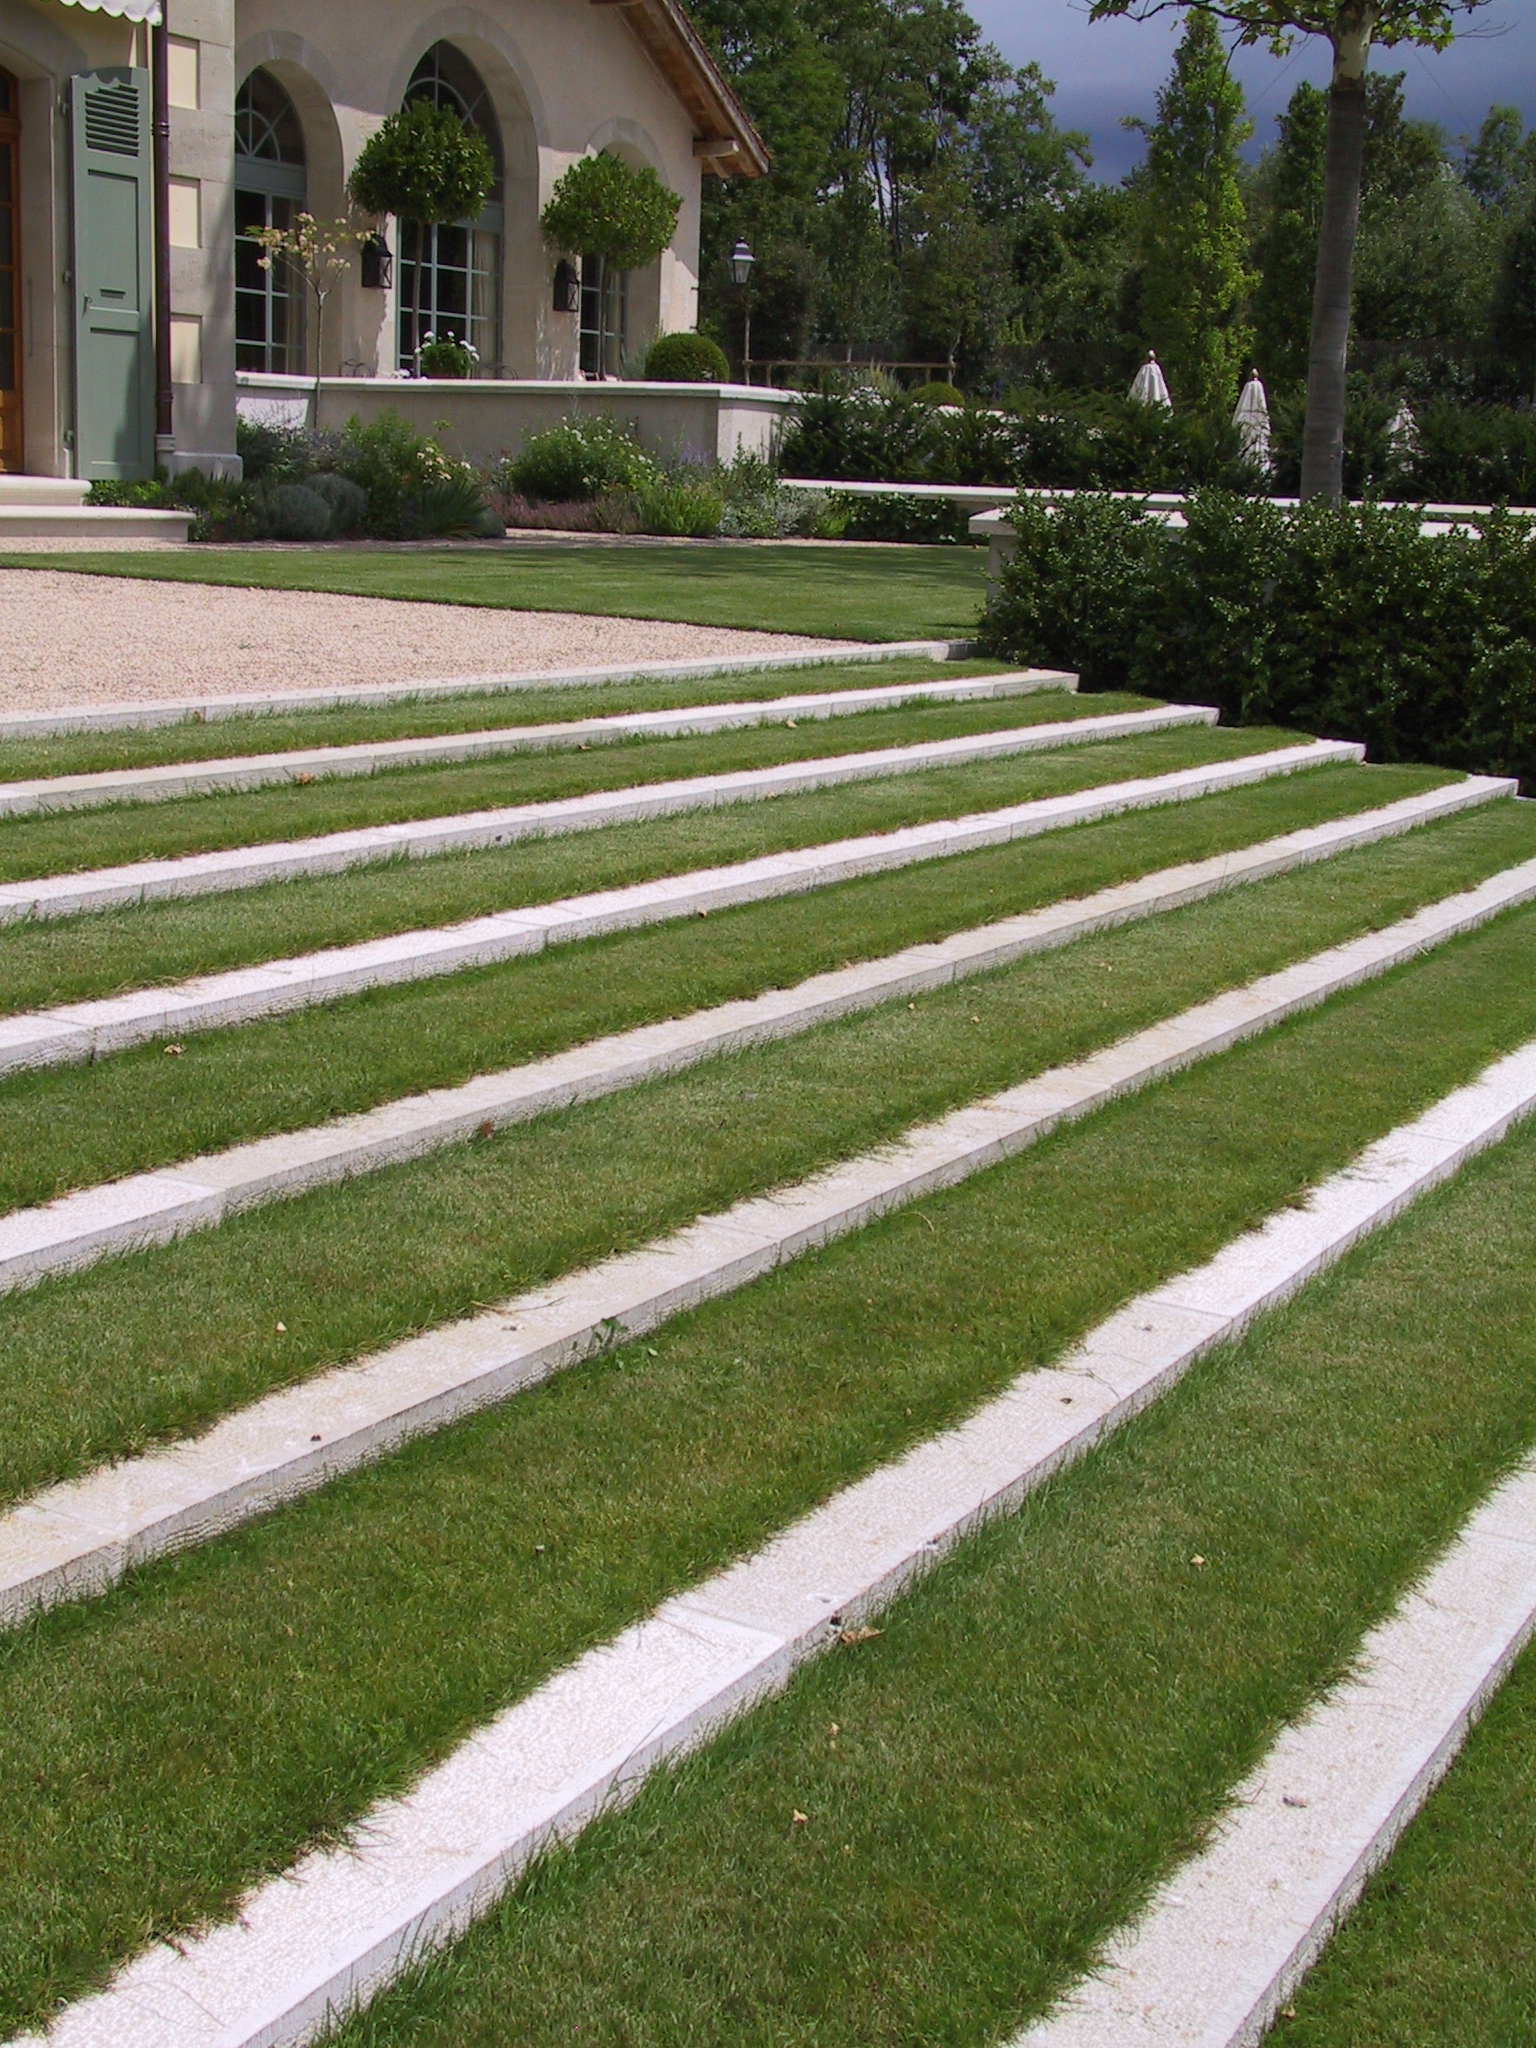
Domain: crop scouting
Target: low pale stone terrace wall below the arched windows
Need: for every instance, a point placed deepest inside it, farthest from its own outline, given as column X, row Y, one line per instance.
column 488, row 419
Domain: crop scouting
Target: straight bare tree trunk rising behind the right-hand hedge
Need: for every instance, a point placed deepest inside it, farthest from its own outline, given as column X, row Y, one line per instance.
column 1322, row 458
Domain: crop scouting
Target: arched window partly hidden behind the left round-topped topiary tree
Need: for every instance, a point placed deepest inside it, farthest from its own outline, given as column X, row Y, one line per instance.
column 462, row 261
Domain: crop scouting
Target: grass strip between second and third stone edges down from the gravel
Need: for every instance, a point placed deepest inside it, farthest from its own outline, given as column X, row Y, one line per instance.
column 112, row 835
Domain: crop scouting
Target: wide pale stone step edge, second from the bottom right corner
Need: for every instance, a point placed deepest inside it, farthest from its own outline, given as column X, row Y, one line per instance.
column 337, row 1928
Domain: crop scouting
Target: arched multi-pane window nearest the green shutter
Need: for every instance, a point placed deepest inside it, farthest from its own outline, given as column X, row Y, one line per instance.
column 269, row 191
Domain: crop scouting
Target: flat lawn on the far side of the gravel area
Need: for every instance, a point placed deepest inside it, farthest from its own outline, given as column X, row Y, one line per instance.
column 843, row 593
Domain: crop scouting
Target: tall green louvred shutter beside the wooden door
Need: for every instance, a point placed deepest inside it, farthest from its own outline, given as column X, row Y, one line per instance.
column 114, row 273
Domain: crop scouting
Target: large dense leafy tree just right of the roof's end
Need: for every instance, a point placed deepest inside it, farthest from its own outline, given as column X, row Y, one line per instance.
column 908, row 165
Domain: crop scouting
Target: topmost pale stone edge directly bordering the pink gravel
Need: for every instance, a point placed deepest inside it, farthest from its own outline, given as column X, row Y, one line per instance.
column 239, row 706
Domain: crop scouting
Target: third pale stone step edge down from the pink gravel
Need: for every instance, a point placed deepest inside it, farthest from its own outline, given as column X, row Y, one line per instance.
column 247, row 867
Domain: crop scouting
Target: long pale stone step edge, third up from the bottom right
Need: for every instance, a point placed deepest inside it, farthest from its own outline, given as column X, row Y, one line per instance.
column 79, row 1537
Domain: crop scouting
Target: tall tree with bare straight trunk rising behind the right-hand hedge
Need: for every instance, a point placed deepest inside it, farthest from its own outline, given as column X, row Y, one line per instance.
column 1351, row 28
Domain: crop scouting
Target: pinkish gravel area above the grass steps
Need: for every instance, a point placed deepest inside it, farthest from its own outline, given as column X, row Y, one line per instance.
column 89, row 640
